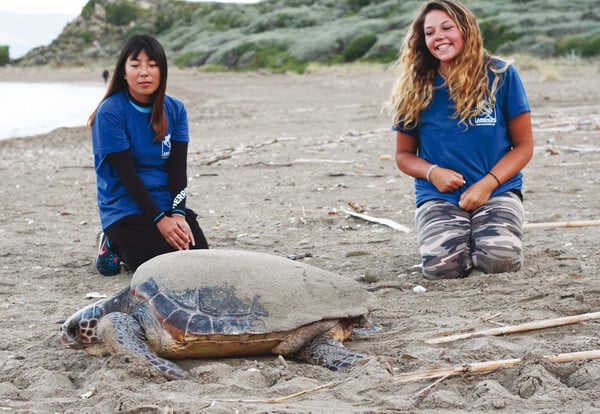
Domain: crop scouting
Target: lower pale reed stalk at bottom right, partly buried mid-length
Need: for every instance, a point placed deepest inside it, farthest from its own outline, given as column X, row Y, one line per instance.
column 491, row 366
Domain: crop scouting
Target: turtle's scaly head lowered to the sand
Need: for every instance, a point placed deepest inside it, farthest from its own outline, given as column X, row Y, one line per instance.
column 80, row 331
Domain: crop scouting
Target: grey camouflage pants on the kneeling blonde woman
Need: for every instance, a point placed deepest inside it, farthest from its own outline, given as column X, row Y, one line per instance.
column 453, row 241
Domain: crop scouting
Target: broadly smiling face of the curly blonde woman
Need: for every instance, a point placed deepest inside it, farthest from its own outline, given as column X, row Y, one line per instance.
column 442, row 38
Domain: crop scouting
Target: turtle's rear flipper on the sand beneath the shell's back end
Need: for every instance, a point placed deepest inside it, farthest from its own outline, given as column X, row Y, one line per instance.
column 328, row 353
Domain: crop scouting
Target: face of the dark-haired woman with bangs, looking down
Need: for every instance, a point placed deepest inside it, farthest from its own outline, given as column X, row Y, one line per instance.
column 143, row 77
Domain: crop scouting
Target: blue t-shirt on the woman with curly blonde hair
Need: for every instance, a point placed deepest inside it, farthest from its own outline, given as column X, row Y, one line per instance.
column 471, row 150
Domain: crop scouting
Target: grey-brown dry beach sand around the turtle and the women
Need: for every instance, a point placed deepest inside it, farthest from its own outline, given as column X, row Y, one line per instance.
column 275, row 159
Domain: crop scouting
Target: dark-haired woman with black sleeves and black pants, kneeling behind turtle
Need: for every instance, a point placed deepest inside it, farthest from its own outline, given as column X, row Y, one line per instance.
column 140, row 141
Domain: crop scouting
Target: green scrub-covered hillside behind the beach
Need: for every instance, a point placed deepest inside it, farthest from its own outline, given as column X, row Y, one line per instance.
column 288, row 34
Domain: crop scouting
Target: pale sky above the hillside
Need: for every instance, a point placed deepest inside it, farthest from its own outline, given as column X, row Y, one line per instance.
column 22, row 31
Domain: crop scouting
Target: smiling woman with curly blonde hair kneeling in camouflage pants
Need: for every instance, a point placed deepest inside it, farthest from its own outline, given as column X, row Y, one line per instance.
column 463, row 131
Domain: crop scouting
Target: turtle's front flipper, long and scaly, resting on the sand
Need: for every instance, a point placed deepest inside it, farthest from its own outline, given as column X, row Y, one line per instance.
column 123, row 331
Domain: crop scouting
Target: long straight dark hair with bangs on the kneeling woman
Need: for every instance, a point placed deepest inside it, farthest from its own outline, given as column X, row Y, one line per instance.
column 134, row 45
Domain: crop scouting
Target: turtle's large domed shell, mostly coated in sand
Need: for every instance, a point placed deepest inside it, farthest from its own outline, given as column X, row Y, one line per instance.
column 232, row 302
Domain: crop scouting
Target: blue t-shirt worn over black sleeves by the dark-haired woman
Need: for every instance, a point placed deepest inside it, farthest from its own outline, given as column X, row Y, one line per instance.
column 121, row 124
